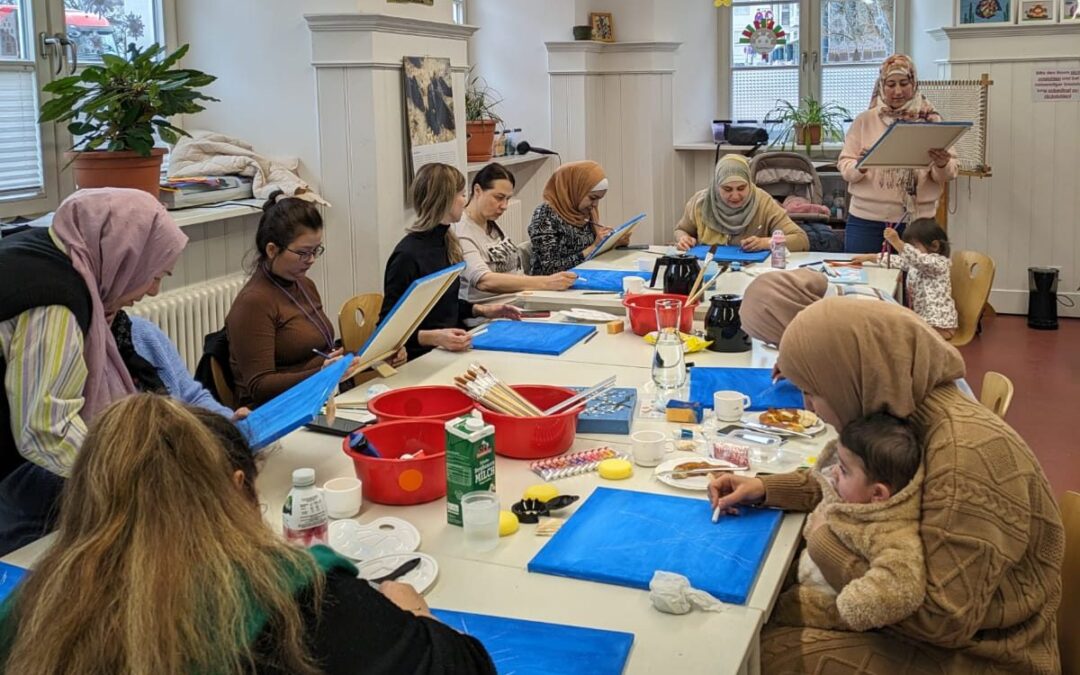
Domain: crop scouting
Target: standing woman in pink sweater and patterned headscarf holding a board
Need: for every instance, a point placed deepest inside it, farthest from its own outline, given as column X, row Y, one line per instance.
column 882, row 198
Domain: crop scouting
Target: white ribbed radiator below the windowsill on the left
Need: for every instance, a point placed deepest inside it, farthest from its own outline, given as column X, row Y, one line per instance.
column 187, row 315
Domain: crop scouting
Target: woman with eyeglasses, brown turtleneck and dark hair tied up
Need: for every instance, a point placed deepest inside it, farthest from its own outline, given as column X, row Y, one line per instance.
column 278, row 318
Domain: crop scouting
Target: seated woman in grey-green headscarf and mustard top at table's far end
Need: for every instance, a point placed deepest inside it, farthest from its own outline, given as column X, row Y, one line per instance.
column 735, row 211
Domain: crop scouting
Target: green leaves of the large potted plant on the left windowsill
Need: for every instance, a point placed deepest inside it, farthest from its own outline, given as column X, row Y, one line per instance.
column 118, row 105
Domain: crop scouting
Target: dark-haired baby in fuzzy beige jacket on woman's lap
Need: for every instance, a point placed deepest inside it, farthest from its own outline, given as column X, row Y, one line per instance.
column 871, row 502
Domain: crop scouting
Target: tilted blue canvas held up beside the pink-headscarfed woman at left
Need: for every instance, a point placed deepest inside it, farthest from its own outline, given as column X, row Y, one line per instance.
column 294, row 408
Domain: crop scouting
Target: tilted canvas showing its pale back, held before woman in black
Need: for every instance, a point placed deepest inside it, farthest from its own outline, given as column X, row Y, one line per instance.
column 407, row 316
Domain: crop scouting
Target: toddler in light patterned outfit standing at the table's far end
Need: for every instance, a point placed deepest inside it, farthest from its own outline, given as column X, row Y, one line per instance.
column 924, row 253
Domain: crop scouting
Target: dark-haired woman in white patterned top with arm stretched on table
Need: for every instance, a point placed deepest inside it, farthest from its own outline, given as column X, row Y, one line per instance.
column 494, row 263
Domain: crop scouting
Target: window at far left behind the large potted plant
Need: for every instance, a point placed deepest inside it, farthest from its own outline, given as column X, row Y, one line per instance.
column 31, row 154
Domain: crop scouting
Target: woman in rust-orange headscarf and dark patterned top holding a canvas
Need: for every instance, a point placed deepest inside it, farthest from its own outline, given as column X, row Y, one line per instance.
column 565, row 229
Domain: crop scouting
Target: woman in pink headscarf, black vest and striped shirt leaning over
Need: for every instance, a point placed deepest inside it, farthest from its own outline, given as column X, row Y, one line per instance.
column 106, row 250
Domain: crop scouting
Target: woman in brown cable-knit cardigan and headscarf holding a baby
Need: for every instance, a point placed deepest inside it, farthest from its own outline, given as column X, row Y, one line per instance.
column 991, row 529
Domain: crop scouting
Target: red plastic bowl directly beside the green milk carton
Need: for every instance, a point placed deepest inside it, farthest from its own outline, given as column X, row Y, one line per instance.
column 401, row 482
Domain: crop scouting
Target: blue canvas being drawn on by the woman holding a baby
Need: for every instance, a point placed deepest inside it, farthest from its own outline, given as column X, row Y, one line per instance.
column 623, row 537
